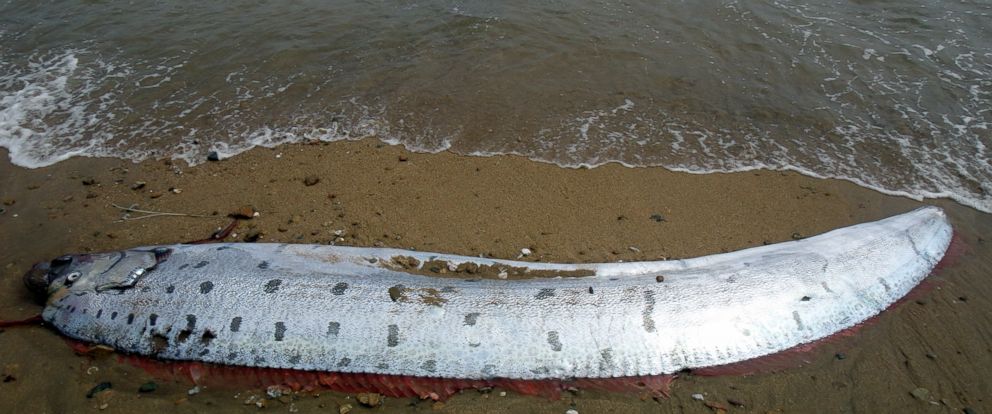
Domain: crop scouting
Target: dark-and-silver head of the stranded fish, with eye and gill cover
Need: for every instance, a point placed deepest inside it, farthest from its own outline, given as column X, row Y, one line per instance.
column 93, row 271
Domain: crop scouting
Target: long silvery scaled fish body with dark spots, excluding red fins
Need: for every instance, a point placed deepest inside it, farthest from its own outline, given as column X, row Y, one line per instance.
column 343, row 309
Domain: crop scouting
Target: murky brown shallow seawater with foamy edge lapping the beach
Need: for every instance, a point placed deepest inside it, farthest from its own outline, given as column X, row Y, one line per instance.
column 890, row 95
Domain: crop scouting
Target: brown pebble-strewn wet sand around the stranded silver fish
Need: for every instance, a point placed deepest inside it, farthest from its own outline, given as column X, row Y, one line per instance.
column 379, row 195
